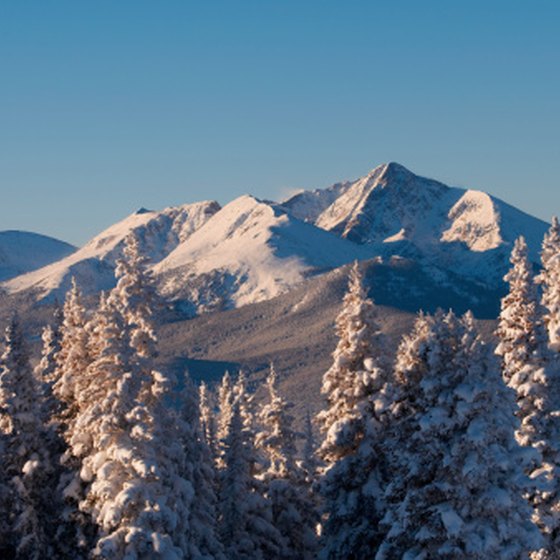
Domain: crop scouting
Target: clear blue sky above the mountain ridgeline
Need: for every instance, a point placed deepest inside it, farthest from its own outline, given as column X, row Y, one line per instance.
column 107, row 106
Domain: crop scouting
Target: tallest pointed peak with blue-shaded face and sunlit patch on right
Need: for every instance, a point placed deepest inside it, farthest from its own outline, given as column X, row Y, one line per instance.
column 396, row 212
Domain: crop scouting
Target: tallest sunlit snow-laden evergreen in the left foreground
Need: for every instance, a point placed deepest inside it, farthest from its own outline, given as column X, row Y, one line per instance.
column 144, row 464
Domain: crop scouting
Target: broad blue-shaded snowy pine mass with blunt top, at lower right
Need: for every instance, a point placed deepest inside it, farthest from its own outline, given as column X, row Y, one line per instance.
column 457, row 470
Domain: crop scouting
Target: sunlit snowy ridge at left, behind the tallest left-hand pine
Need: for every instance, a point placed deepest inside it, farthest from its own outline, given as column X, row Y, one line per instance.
column 93, row 265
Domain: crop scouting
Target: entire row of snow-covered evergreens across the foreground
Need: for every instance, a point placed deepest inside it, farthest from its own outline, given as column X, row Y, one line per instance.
column 450, row 449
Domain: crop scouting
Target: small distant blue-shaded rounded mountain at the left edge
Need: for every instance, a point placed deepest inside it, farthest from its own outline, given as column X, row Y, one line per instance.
column 23, row 251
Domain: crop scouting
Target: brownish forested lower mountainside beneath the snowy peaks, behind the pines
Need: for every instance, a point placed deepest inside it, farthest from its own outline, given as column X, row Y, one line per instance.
column 296, row 331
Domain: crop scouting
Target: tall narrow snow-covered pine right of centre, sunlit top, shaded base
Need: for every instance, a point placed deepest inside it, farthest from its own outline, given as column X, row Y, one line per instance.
column 356, row 389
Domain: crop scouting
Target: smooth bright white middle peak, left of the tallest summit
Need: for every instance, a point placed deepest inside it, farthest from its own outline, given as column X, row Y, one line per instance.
column 250, row 251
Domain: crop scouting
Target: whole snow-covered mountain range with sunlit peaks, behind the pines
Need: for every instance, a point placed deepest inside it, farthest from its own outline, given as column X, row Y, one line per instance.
column 252, row 250
